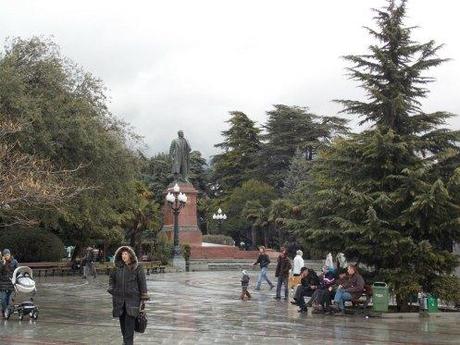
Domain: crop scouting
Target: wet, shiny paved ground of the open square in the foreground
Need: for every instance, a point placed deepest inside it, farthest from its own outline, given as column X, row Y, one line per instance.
column 203, row 308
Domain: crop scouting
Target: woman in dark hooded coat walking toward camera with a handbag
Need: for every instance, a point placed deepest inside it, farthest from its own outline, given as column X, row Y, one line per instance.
column 128, row 288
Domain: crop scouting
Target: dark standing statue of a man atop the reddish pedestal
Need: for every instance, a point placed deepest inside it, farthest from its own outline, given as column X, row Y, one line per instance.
column 179, row 152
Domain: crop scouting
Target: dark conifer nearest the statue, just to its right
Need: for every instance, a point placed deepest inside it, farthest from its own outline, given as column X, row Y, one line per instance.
column 237, row 163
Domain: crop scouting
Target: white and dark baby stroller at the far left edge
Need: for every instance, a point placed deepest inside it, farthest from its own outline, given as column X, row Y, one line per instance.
column 23, row 284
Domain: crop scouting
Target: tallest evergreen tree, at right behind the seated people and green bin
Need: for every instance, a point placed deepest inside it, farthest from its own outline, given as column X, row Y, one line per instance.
column 388, row 197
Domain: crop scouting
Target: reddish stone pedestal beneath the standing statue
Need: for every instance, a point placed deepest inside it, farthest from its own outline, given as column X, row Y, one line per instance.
column 188, row 222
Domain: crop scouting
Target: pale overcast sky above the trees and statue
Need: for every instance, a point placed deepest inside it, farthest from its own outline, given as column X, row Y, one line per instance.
column 172, row 65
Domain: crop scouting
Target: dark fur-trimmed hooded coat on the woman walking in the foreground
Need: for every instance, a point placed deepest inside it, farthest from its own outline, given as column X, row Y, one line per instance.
column 127, row 285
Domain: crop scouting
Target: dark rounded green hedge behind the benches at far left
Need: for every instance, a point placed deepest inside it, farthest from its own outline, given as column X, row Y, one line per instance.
column 32, row 245
